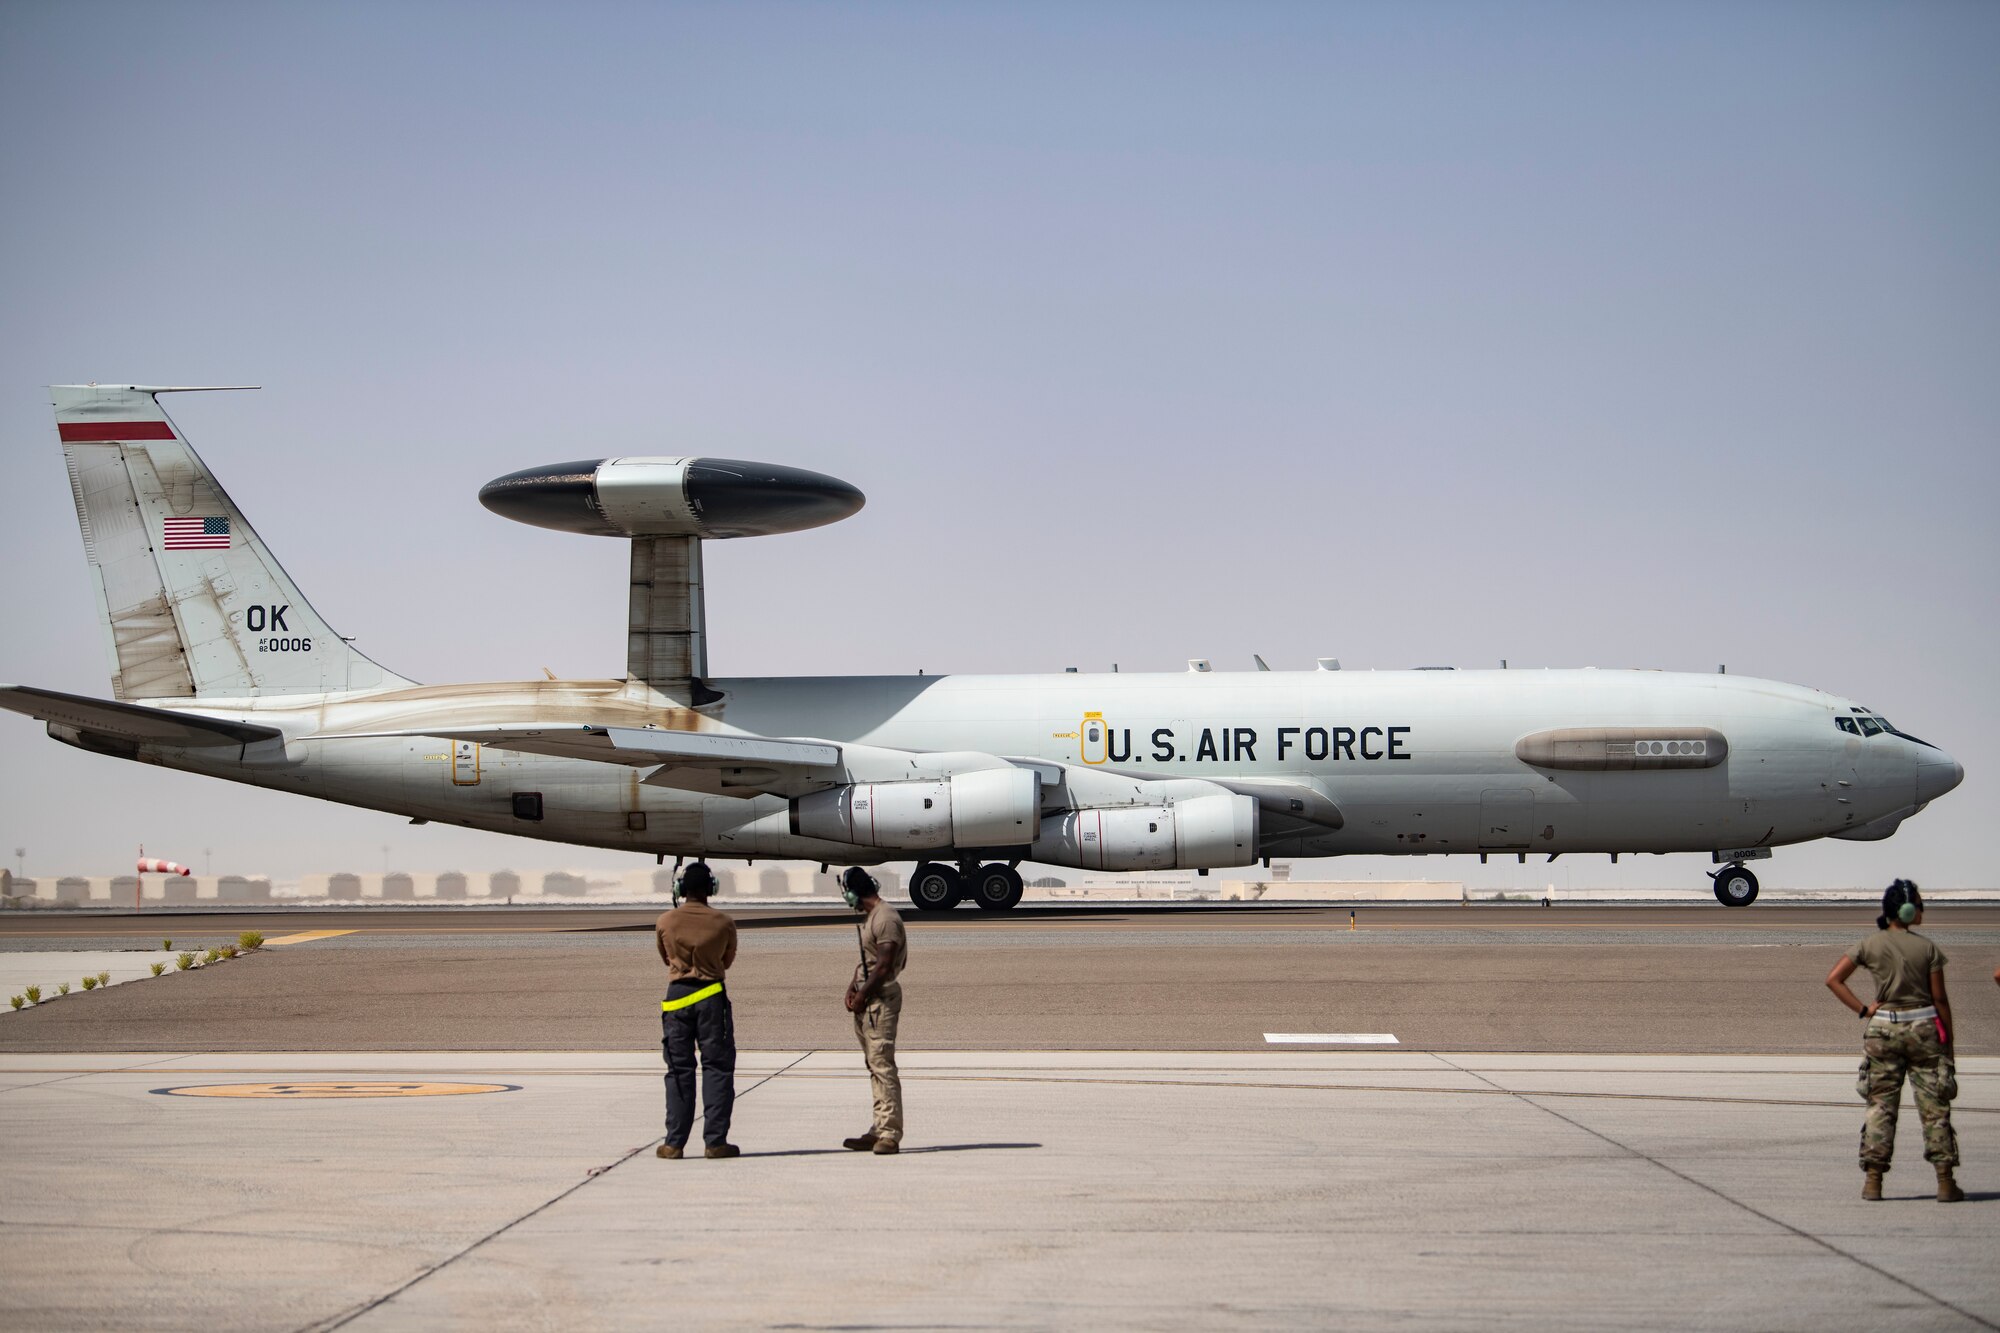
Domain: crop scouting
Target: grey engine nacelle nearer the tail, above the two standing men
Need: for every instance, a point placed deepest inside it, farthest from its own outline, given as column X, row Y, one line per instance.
column 985, row 810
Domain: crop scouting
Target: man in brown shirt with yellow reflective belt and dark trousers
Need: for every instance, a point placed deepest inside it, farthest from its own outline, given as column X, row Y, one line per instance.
column 697, row 944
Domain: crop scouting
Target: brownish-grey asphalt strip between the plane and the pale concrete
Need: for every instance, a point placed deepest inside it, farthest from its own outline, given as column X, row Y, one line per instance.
column 1673, row 980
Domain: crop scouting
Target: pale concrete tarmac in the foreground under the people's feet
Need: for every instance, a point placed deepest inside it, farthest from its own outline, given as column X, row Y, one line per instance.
column 1037, row 1192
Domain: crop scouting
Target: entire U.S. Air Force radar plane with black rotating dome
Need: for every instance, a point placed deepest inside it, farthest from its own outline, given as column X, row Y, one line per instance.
column 221, row 668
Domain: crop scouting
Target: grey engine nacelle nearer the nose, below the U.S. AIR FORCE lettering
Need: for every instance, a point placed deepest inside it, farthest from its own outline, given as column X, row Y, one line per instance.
column 1187, row 836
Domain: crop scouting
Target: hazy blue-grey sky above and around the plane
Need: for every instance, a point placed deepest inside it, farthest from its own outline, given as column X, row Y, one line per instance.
column 1645, row 335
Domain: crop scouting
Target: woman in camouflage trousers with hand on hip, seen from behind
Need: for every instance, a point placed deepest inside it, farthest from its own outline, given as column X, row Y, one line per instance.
column 1907, row 1036
